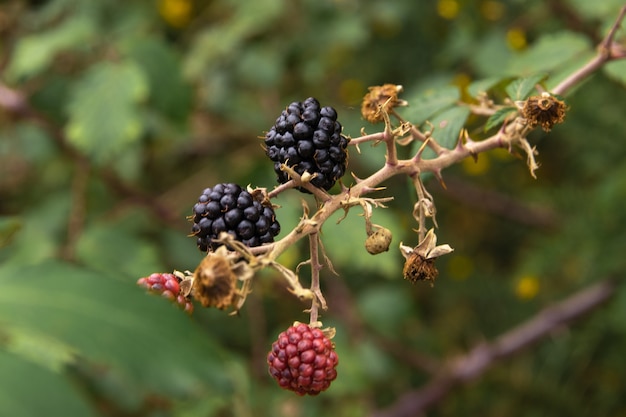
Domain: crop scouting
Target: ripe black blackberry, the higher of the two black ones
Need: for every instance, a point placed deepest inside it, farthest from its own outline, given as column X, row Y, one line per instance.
column 307, row 137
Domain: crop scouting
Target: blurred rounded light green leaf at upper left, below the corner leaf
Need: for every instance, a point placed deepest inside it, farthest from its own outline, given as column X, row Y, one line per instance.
column 103, row 110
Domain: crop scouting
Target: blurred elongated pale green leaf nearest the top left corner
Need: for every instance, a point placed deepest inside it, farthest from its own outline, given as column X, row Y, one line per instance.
column 34, row 53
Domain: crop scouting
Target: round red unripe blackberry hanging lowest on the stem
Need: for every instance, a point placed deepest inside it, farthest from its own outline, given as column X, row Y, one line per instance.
column 303, row 360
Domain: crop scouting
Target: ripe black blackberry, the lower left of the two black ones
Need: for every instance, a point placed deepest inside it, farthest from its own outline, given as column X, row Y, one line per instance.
column 228, row 208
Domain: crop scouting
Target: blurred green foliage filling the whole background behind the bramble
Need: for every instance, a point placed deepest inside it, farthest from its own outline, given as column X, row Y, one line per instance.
column 138, row 106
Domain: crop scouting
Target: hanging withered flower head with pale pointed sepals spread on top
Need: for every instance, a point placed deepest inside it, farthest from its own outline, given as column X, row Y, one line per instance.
column 420, row 261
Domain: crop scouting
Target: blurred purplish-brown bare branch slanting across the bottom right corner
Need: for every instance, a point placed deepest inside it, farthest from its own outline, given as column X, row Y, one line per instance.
column 467, row 367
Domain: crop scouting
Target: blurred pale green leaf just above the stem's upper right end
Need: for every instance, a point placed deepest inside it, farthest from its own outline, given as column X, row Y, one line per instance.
column 550, row 52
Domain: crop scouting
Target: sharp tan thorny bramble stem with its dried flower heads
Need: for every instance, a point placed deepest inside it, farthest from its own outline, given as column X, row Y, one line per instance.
column 545, row 109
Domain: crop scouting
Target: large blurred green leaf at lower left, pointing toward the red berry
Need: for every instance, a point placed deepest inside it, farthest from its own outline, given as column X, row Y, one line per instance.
column 145, row 338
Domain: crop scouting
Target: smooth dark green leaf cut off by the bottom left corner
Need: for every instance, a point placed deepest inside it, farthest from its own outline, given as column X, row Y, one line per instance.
column 27, row 390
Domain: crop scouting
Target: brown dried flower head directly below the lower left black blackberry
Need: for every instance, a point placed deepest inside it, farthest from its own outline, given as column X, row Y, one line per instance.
column 214, row 282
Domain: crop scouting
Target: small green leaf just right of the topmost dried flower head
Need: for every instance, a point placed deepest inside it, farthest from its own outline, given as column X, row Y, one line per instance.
column 425, row 105
